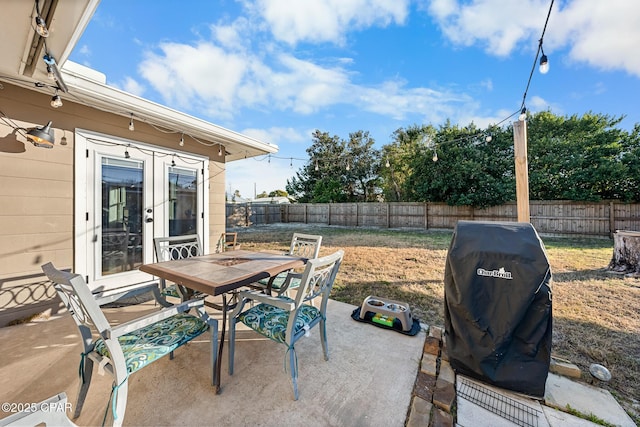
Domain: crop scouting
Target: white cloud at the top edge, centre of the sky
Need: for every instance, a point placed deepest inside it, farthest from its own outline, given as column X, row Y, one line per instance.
column 328, row 20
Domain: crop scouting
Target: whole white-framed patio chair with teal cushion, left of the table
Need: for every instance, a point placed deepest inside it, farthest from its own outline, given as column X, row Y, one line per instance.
column 124, row 349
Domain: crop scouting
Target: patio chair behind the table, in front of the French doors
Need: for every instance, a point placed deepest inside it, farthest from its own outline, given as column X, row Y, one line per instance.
column 176, row 247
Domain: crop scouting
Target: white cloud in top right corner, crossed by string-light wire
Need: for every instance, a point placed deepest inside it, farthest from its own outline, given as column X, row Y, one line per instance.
column 599, row 33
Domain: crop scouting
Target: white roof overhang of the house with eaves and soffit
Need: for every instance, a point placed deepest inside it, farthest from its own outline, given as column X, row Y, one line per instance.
column 22, row 64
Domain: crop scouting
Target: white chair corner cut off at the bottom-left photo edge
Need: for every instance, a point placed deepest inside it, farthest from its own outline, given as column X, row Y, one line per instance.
column 50, row 412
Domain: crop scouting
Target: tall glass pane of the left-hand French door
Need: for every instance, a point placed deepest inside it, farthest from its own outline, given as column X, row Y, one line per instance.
column 122, row 210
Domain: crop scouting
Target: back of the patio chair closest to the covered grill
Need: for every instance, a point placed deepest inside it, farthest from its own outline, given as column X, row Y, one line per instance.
column 317, row 279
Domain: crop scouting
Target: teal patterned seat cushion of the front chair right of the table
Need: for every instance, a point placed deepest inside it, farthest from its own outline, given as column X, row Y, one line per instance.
column 272, row 321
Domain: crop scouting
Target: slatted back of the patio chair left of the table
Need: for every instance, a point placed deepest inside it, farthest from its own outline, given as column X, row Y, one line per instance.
column 81, row 303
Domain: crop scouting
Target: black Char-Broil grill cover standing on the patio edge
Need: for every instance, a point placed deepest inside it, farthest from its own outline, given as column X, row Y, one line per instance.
column 497, row 296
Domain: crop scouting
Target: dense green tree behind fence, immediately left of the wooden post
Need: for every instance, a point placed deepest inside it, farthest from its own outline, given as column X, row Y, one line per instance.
column 459, row 166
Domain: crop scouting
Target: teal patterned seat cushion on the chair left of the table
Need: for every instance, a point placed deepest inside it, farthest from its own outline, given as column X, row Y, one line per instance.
column 156, row 340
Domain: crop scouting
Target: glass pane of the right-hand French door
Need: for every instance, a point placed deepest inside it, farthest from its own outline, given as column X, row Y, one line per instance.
column 183, row 201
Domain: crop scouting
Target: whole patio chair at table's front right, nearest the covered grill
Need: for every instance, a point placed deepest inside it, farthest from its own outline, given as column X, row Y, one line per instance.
column 285, row 320
